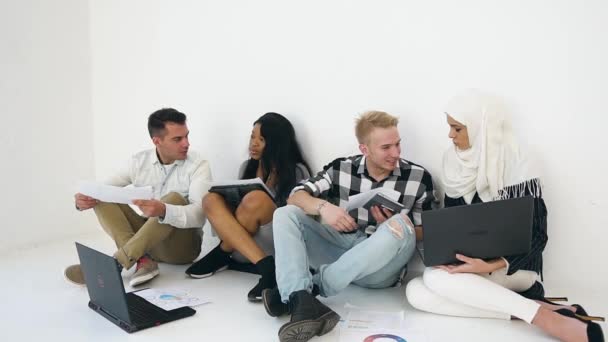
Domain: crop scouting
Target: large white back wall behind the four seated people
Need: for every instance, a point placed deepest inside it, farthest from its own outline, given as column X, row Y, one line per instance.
column 320, row 63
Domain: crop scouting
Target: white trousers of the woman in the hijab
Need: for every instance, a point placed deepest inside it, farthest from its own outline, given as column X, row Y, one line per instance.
column 473, row 295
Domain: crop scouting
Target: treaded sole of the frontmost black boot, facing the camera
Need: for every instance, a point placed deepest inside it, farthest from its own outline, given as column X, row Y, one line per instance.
column 302, row 331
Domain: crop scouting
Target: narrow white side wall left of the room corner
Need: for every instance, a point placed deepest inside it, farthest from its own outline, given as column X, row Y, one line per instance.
column 46, row 119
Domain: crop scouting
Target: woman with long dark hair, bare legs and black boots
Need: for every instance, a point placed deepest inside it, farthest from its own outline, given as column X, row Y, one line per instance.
column 276, row 159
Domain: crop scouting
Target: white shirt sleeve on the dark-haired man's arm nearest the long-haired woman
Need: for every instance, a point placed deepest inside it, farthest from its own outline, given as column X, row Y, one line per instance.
column 191, row 215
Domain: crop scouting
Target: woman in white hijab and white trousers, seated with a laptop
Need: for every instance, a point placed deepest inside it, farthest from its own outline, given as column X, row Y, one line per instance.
column 486, row 164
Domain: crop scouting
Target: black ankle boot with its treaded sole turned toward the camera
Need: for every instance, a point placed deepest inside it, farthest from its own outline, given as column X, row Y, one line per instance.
column 309, row 318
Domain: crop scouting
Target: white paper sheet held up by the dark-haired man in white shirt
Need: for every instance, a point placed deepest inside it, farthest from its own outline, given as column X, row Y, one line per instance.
column 115, row 194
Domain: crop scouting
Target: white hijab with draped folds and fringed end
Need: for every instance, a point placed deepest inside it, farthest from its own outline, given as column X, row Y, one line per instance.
column 494, row 160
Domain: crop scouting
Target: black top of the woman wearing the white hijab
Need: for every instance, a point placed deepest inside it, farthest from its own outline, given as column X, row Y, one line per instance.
column 533, row 261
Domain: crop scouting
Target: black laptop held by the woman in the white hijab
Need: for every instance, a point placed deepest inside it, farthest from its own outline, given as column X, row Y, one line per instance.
column 483, row 230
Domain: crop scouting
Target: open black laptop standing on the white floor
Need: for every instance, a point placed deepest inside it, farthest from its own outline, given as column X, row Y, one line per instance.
column 108, row 298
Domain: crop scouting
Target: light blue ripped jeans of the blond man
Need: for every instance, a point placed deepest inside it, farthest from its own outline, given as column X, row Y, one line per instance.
column 301, row 242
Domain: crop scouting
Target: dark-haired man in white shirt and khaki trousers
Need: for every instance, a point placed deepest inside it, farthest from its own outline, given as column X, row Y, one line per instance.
column 170, row 229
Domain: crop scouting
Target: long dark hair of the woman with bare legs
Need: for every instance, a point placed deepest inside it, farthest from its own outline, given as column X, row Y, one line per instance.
column 281, row 154
